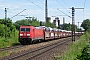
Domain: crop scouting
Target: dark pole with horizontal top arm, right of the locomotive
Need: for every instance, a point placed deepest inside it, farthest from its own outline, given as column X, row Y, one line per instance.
column 73, row 23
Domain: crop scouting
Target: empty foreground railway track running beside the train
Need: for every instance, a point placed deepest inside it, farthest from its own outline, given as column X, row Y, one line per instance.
column 30, row 54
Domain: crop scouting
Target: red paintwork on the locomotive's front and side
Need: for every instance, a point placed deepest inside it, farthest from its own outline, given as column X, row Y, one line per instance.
column 35, row 33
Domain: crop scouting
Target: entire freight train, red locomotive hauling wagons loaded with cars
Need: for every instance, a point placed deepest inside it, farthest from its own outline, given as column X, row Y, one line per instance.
column 28, row 34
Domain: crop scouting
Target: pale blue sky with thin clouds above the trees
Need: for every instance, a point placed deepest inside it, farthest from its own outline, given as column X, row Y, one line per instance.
column 36, row 8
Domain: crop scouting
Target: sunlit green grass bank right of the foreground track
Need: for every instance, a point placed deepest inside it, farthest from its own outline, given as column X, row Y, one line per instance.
column 75, row 48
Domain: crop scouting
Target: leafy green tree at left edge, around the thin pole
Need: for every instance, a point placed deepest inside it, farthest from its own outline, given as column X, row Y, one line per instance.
column 6, row 27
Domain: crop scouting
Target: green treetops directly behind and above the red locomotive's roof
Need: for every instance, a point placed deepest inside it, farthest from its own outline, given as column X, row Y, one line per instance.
column 24, row 22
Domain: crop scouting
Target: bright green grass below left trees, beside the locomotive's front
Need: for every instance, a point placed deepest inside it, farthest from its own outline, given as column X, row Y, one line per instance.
column 9, row 41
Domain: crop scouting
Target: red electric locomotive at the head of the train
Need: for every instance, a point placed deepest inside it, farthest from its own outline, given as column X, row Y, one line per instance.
column 27, row 34
